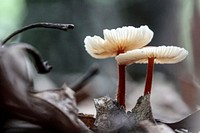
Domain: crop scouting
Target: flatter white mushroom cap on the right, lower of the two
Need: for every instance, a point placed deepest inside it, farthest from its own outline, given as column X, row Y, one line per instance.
column 162, row 55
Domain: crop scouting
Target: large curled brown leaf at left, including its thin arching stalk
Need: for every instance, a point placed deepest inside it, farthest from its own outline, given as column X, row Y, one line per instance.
column 55, row 110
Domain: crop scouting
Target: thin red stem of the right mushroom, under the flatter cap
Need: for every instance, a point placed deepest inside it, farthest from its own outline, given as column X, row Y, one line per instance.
column 149, row 76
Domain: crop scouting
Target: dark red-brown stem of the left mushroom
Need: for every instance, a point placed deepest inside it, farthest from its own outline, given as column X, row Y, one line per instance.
column 121, row 86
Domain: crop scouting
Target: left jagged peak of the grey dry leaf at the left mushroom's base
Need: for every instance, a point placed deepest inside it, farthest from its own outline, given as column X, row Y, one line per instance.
column 111, row 118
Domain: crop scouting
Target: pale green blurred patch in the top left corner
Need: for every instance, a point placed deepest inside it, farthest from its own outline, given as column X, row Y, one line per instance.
column 12, row 15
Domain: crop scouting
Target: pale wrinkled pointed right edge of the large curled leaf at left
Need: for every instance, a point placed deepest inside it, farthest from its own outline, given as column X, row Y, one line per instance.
column 64, row 101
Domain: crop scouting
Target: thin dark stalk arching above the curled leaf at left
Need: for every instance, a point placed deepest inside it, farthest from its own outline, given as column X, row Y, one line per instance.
column 59, row 26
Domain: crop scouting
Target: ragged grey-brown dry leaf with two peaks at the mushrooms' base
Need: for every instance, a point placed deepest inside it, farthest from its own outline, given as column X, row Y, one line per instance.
column 112, row 118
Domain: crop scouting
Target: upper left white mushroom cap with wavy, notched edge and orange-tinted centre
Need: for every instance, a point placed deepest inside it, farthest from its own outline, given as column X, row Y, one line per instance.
column 118, row 41
